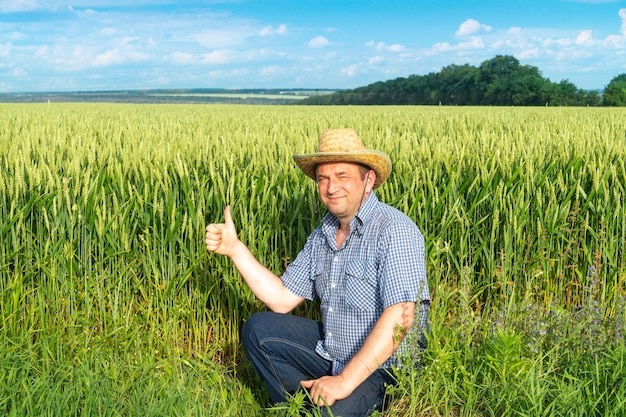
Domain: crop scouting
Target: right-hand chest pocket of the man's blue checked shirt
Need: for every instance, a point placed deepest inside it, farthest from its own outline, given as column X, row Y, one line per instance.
column 361, row 286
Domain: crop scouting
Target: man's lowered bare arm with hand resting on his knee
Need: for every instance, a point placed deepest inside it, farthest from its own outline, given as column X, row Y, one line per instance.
column 381, row 343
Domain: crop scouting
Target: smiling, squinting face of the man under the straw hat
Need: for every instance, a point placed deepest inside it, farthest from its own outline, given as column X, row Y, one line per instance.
column 342, row 186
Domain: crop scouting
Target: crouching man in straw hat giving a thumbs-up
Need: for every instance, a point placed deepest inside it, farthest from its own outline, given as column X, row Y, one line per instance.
column 366, row 264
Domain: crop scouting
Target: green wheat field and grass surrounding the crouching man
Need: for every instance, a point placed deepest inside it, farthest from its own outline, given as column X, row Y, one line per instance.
column 110, row 304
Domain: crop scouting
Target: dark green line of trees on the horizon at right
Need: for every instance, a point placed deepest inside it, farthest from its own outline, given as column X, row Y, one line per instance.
column 501, row 81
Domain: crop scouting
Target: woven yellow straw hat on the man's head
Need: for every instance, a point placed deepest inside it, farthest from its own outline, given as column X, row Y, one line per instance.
column 344, row 145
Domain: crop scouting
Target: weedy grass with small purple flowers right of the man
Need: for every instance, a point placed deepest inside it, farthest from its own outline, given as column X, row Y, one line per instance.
column 520, row 360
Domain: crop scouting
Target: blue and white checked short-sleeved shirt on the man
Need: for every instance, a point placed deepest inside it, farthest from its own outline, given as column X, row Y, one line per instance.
column 381, row 263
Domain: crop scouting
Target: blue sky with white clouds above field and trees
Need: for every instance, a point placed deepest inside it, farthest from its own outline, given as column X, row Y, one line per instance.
column 86, row 45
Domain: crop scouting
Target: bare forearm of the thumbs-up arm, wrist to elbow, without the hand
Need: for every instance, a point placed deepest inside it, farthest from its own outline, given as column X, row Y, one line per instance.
column 265, row 285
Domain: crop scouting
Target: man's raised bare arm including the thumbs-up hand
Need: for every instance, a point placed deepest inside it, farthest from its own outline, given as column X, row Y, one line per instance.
column 268, row 287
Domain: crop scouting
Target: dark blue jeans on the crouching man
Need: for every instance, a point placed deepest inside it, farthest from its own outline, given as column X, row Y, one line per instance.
column 281, row 348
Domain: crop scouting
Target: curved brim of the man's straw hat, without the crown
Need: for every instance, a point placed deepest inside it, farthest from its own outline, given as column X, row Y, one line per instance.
column 376, row 160
